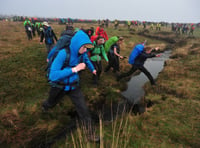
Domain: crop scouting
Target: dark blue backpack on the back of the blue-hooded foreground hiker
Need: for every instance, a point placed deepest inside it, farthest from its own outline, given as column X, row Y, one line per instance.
column 63, row 42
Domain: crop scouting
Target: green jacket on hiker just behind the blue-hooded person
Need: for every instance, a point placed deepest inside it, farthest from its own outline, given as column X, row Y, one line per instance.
column 96, row 53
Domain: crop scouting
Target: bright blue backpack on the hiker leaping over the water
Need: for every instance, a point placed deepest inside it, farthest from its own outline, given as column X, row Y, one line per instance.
column 135, row 52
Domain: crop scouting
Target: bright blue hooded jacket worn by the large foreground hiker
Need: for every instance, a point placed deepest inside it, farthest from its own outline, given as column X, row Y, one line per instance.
column 70, row 79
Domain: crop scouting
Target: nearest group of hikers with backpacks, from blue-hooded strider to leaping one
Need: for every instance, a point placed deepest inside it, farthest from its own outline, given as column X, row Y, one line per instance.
column 73, row 51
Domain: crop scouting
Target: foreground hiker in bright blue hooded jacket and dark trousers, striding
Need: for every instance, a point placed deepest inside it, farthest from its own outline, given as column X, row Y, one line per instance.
column 69, row 77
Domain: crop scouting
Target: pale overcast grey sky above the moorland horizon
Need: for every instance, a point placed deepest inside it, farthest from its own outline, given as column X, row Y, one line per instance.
column 143, row 10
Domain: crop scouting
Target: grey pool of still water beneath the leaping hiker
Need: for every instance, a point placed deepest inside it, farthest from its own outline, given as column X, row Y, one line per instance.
column 135, row 89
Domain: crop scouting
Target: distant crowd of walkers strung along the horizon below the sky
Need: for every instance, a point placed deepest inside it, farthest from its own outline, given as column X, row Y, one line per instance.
column 31, row 27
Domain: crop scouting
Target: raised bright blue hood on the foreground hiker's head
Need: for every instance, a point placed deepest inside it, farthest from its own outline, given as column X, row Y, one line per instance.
column 78, row 40
